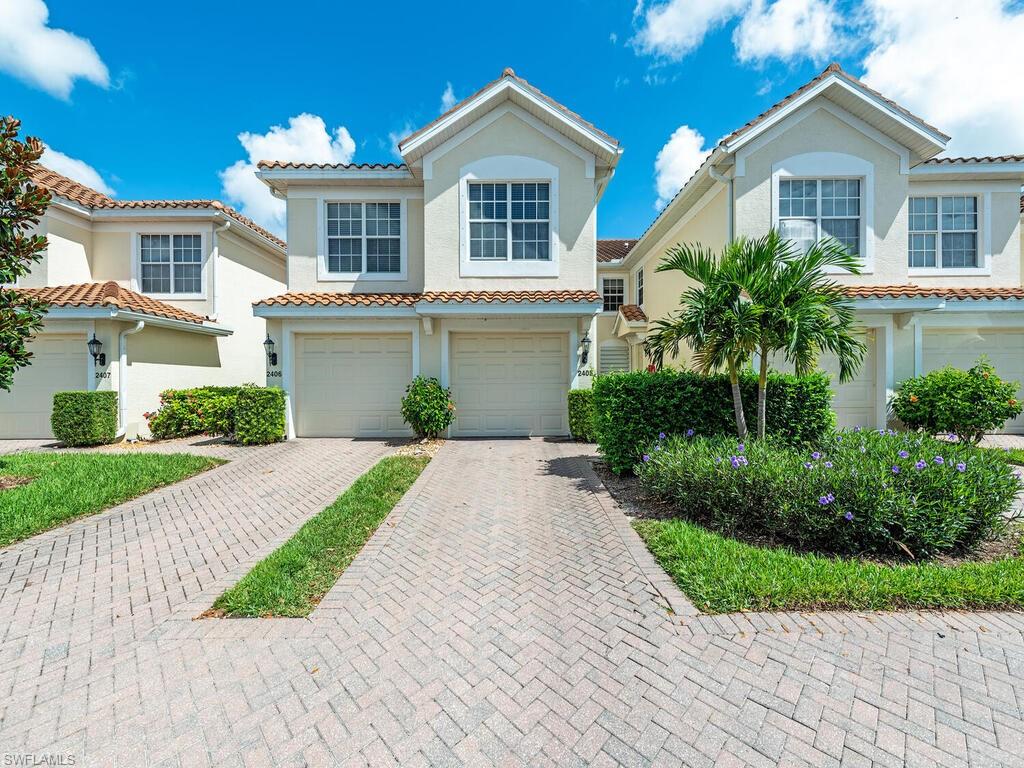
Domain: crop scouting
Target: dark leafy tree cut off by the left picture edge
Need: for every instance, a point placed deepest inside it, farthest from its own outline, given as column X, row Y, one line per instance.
column 22, row 205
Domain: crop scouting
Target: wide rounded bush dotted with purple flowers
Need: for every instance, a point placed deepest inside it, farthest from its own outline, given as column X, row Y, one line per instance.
column 862, row 492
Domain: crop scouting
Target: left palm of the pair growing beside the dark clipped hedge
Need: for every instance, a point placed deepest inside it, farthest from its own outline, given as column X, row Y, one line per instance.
column 717, row 321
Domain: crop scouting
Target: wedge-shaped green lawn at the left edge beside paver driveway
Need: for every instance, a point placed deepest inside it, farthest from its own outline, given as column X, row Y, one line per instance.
column 66, row 487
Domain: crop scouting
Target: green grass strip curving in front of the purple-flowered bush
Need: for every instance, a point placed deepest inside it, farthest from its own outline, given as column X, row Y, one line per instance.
column 722, row 575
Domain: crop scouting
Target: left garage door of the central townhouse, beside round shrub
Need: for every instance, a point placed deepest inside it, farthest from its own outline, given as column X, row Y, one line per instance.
column 351, row 386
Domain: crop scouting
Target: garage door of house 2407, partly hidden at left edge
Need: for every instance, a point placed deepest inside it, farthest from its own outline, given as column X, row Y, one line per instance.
column 59, row 364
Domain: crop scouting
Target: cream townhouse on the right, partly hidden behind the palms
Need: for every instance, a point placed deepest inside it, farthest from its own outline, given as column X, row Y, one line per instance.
column 940, row 238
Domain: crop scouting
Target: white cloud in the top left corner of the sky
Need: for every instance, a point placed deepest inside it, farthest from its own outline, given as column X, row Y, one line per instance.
column 44, row 57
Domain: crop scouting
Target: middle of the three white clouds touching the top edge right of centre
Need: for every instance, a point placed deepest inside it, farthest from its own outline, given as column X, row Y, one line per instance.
column 787, row 30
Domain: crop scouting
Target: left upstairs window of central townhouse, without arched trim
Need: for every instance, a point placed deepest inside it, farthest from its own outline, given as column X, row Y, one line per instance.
column 363, row 238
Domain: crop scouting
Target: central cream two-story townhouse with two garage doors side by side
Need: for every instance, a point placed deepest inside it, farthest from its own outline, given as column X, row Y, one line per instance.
column 473, row 262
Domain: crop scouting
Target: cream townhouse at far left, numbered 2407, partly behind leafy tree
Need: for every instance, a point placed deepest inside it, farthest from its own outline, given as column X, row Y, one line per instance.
column 145, row 296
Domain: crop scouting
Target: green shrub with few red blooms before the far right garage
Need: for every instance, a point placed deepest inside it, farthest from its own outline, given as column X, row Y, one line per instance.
column 967, row 404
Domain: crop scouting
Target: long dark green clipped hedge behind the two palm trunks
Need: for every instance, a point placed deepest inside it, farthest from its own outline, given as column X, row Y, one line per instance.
column 631, row 410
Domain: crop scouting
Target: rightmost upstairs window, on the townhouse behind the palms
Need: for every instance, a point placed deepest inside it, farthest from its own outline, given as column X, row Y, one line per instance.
column 944, row 232
